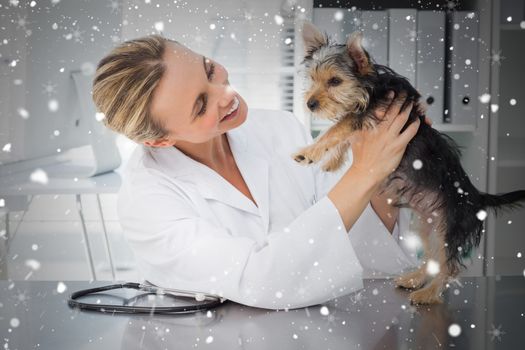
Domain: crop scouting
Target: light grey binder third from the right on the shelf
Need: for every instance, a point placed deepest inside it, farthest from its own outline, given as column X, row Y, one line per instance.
column 402, row 42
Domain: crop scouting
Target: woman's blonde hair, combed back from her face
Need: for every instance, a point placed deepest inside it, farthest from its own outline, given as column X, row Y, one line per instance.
column 124, row 83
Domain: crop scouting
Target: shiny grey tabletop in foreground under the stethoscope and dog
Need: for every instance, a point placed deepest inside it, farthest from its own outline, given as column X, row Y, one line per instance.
column 488, row 312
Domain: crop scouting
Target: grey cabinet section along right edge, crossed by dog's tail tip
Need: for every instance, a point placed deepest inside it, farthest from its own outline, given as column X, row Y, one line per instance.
column 505, row 241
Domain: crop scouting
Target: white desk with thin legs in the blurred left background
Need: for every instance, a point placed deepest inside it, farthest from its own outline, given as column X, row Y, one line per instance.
column 17, row 189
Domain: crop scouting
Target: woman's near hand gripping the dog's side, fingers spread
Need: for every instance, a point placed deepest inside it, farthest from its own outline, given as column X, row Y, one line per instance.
column 377, row 151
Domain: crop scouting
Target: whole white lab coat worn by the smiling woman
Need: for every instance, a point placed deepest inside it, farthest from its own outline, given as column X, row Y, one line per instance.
column 191, row 229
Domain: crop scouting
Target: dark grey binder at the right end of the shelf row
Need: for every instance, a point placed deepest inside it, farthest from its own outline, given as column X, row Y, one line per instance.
column 463, row 71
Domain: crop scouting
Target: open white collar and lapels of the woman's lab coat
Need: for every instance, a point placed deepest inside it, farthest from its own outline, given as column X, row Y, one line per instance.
column 253, row 167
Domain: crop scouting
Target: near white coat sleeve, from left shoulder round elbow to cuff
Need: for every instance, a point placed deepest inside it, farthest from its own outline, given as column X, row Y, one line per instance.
column 310, row 262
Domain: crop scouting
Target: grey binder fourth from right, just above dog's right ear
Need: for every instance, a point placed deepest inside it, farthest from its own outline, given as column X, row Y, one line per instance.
column 374, row 25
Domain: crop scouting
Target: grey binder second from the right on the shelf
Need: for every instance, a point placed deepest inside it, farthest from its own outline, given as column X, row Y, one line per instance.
column 430, row 64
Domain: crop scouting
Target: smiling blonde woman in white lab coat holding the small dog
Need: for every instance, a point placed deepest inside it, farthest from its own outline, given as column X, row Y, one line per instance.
column 212, row 200
